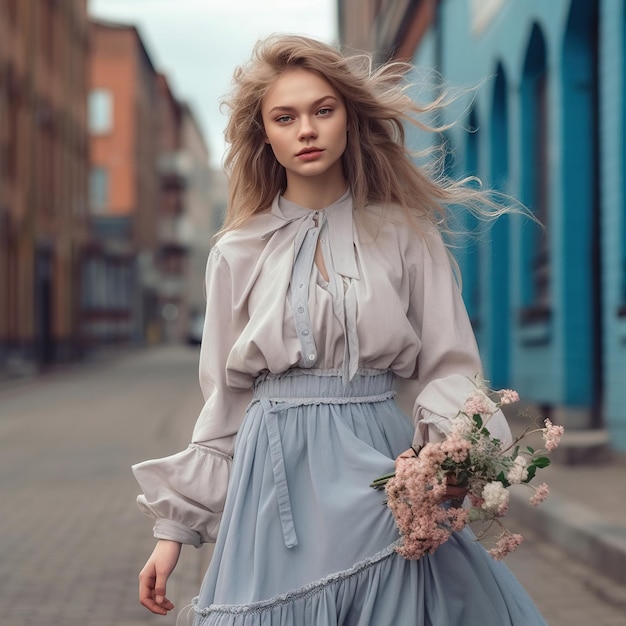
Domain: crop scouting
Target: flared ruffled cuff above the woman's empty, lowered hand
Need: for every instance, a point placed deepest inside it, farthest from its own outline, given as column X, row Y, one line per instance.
column 185, row 492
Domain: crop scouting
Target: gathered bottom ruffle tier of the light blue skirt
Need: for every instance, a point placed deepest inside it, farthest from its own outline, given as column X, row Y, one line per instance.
column 454, row 588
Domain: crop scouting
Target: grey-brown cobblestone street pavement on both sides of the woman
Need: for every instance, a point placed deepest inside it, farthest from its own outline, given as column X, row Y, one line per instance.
column 71, row 538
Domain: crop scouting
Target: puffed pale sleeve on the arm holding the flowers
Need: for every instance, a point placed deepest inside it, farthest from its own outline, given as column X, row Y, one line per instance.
column 448, row 361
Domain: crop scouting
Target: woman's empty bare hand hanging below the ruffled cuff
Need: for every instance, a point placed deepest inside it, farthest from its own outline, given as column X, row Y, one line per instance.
column 153, row 577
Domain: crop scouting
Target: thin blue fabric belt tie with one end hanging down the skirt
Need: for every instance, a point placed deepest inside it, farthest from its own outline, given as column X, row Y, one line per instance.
column 270, row 417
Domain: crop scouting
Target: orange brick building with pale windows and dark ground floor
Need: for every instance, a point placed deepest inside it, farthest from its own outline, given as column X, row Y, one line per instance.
column 120, row 275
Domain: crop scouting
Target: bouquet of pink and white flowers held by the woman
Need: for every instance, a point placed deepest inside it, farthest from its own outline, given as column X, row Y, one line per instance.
column 473, row 459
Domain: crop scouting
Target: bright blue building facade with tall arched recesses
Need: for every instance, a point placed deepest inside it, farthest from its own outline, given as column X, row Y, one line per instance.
column 548, row 127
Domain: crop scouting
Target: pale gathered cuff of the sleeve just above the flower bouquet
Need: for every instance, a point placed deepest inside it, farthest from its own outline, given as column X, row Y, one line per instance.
column 440, row 403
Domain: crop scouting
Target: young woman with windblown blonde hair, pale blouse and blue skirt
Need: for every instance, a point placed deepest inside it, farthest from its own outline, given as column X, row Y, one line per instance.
column 329, row 289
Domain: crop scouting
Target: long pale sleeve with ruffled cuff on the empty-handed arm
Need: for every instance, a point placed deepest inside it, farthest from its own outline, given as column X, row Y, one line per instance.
column 185, row 492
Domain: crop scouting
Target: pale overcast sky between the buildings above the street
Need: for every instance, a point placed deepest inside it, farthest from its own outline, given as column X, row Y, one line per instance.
column 198, row 43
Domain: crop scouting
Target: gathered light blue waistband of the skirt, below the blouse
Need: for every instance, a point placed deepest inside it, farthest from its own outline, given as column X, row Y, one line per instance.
column 322, row 385
